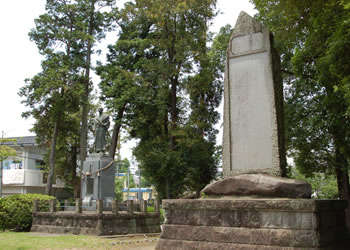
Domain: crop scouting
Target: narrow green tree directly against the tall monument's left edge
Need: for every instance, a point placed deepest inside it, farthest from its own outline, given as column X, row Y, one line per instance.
column 205, row 92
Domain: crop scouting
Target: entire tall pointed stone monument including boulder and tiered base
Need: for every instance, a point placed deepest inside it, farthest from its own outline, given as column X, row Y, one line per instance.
column 253, row 207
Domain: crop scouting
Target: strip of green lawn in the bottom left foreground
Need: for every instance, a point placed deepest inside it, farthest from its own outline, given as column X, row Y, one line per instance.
column 21, row 241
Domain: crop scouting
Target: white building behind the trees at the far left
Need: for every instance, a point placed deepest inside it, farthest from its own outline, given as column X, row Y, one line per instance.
column 22, row 174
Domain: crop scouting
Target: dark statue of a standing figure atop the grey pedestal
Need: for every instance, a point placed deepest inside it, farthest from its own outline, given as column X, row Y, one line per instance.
column 101, row 128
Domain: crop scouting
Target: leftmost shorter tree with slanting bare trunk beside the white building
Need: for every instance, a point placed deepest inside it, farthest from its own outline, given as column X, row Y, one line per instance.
column 48, row 93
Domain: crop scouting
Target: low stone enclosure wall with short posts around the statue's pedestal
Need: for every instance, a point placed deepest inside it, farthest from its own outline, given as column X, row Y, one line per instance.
column 97, row 222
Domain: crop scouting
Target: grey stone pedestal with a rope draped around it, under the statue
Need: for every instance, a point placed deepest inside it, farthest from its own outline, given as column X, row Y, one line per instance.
column 99, row 179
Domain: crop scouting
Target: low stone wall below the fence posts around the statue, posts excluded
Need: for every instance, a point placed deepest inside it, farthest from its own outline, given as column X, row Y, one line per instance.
column 93, row 224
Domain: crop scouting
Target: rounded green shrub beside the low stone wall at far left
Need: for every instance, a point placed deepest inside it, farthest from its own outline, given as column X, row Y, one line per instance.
column 16, row 210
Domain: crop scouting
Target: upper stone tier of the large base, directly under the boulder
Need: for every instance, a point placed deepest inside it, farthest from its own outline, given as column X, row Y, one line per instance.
column 254, row 213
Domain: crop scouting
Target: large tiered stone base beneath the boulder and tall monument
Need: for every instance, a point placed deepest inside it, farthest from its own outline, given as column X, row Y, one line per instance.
column 254, row 224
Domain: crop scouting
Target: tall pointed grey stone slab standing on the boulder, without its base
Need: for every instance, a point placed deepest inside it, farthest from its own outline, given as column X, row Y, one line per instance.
column 253, row 139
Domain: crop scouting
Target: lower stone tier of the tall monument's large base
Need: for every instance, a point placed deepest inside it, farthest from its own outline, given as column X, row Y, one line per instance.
column 254, row 236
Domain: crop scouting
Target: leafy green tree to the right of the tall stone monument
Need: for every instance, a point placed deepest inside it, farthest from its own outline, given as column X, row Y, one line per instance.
column 313, row 38
